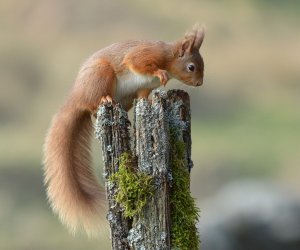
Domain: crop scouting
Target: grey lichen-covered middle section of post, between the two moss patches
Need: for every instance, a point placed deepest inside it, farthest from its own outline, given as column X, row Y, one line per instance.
column 150, row 229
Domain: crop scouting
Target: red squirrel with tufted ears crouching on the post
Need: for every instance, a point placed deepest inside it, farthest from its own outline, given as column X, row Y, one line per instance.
column 120, row 72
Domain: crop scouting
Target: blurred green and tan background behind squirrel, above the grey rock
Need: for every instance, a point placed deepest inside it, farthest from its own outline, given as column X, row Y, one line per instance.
column 246, row 117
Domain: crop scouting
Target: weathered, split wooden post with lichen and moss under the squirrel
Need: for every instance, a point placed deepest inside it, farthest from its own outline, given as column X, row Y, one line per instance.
column 148, row 187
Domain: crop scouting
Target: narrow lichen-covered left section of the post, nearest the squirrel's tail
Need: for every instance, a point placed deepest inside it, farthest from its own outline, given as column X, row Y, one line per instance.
column 112, row 129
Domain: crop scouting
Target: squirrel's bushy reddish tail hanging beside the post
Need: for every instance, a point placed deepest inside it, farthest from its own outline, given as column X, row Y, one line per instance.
column 72, row 186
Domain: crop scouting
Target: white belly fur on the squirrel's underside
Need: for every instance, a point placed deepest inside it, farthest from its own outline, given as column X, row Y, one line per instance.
column 130, row 82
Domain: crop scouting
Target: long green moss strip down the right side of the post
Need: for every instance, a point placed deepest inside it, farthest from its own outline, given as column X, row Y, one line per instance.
column 184, row 212
